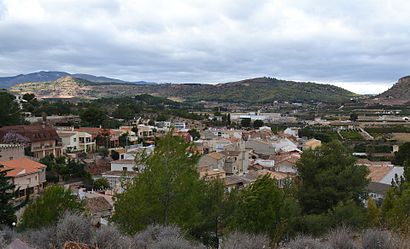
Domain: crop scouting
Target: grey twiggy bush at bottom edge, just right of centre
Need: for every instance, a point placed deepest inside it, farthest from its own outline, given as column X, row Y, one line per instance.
column 237, row 240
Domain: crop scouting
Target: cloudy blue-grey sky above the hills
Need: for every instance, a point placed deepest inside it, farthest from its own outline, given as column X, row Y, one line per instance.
column 361, row 45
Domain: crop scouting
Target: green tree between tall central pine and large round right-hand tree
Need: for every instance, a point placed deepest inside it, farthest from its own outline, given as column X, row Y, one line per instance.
column 257, row 208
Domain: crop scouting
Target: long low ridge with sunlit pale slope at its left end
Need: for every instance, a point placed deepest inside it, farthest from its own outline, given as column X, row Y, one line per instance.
column 251, row 91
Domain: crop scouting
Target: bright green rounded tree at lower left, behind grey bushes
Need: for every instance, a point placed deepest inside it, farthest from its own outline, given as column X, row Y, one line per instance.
column 48, row 208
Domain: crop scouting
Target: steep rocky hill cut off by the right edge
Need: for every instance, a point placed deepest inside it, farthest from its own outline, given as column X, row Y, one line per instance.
column 398, row 94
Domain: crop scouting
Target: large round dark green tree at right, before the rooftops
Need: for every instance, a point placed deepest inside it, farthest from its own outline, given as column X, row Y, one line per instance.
column 328, row 176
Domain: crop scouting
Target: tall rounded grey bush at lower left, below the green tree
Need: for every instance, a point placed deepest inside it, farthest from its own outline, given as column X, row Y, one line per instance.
column 73, row 227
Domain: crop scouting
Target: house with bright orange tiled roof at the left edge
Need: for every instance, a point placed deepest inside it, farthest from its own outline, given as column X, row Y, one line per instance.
column 28, row 176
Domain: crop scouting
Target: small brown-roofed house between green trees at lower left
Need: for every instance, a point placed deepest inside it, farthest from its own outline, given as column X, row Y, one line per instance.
column 100, row 210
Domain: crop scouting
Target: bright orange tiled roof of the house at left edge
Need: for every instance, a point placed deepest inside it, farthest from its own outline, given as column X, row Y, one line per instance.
column 21, row 166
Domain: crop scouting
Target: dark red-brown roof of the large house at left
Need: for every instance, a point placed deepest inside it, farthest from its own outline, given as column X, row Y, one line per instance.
column 34, row 133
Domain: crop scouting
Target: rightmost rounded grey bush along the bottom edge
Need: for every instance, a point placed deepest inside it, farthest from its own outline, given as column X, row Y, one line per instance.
column 378, row 239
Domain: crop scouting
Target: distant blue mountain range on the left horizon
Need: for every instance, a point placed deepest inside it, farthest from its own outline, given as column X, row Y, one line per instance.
column 47, row 76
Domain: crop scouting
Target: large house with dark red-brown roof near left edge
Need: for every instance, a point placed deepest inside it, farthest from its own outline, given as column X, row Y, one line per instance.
column 41, row 140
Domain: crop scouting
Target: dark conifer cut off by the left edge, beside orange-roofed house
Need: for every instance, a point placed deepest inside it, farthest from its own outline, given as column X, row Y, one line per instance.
column 7, row 192
